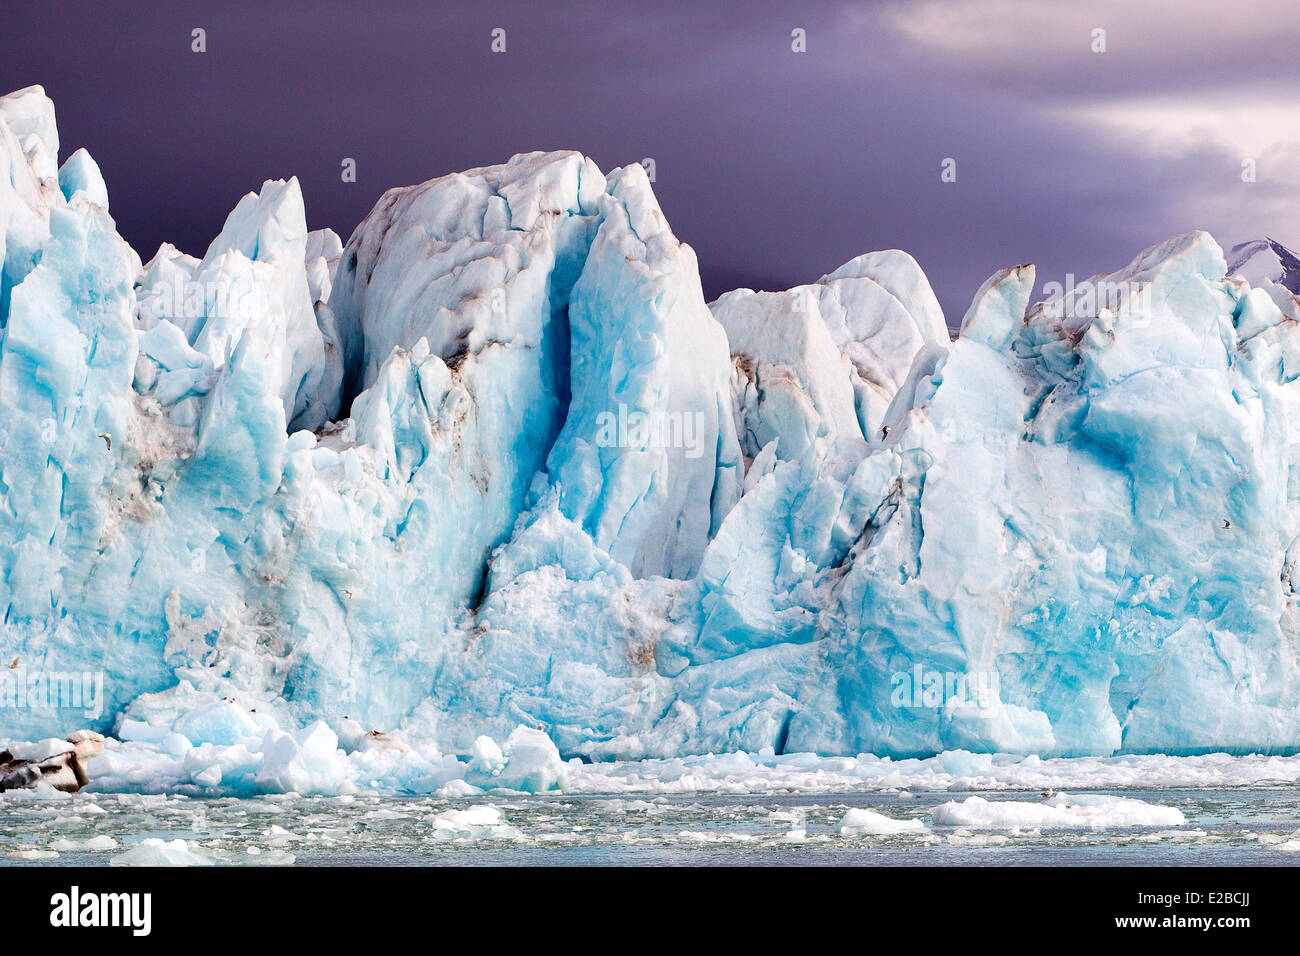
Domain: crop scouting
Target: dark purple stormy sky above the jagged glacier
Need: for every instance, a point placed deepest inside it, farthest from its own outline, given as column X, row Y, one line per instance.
column 775, row 166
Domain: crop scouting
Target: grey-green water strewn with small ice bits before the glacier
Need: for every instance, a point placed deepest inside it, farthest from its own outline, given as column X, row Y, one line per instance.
column 1224, row 828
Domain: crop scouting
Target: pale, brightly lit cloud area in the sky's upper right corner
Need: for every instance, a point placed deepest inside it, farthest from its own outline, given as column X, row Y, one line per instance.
column 1193, row 96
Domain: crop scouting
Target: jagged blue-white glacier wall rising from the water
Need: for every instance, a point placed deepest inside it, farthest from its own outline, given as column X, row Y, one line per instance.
column 495, row 468
